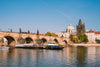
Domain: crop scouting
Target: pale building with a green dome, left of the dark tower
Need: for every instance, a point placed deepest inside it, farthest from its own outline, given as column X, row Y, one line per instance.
column 67, row 33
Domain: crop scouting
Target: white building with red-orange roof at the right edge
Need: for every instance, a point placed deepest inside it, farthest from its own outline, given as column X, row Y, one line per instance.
column 92, row 35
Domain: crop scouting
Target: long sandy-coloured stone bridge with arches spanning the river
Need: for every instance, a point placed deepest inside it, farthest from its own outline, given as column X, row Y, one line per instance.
column 14, row 38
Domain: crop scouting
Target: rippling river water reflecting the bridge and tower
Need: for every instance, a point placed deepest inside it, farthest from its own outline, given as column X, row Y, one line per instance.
column 68, row 57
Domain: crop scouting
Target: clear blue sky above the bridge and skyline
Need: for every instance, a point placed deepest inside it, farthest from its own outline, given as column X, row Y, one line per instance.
column 48, row 15
